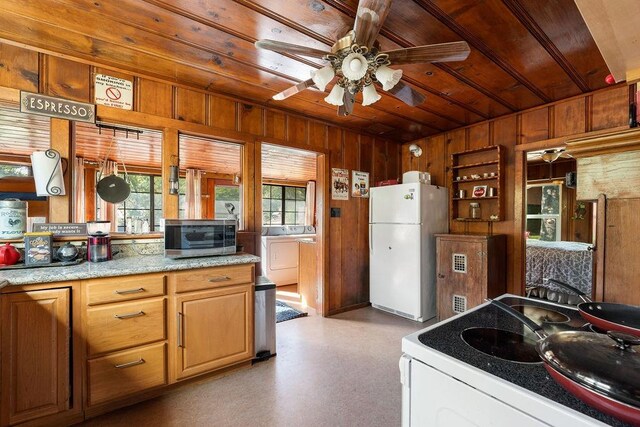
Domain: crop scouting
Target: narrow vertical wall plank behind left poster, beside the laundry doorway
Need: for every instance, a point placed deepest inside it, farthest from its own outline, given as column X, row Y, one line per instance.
column 336, row 144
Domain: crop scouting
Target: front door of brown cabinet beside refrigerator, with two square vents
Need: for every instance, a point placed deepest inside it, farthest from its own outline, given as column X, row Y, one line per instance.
column 461, row 272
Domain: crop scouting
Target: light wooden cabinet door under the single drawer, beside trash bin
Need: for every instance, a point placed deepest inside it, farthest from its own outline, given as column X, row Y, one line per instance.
column 214, row 329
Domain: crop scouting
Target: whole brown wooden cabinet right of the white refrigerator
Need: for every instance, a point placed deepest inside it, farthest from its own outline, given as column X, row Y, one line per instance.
column 470, row 268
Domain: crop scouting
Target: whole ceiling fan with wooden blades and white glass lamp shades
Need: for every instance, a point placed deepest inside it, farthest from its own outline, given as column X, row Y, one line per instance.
column 358, row 63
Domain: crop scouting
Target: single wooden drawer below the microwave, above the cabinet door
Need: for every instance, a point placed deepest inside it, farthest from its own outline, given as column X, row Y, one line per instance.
column 207, row 278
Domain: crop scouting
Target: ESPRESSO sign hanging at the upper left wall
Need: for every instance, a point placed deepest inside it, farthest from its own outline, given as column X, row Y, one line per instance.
column 57, row 107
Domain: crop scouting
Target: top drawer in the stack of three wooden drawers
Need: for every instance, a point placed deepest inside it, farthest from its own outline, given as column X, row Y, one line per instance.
column 102, row 291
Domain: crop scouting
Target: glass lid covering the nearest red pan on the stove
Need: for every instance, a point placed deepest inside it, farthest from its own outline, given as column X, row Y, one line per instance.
column 607, row 364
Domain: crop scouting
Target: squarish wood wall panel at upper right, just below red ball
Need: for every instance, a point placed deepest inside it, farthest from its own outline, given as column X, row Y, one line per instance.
column 610, row 108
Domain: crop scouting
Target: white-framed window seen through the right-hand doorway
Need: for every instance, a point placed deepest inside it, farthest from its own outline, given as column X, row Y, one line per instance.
column 544, row 212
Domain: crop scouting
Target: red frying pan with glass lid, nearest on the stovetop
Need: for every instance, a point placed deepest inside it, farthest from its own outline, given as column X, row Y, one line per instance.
column 602, row 371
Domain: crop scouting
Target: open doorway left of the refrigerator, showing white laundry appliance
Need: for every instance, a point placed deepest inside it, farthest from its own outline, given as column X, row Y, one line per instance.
column 292, row 231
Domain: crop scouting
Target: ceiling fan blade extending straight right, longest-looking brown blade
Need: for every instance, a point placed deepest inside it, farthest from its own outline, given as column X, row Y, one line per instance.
column 443, row 52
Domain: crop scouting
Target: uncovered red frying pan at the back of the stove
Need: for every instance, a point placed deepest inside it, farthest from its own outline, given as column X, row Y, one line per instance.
column 606, row 315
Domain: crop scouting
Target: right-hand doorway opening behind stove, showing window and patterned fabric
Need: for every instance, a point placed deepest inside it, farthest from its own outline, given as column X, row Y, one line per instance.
column 559, row 230
